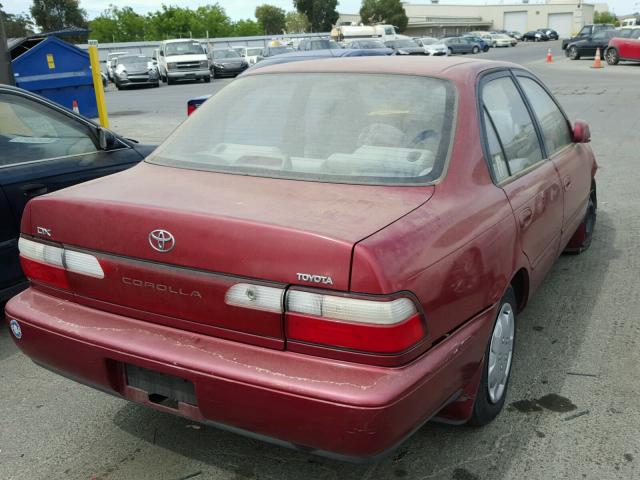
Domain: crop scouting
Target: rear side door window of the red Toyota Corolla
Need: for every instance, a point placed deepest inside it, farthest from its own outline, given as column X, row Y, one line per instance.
column 508, row 114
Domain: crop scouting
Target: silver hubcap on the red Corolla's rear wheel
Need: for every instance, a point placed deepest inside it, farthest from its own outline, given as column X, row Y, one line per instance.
column 501, row 353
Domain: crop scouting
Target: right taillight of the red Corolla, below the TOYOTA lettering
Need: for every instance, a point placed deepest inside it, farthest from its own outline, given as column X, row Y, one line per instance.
column 382, row 325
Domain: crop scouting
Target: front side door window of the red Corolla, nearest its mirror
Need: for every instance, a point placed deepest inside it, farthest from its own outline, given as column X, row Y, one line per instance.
column 554, row 125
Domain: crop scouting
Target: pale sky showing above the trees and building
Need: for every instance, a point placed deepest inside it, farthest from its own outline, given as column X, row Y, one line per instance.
column 239, row 9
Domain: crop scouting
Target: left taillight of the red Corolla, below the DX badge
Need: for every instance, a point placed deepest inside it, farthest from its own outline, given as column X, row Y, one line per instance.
column 49, row 263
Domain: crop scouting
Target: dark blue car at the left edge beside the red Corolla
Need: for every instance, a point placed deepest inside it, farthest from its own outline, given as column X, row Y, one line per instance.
column 43, row 148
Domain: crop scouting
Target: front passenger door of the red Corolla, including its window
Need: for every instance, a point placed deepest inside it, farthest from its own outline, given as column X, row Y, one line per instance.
column 569, row 158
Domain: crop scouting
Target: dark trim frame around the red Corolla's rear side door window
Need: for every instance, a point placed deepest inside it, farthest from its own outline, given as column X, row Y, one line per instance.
column 487, row 77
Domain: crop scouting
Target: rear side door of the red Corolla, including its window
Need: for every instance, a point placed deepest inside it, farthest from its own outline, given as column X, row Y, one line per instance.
column 530, row 182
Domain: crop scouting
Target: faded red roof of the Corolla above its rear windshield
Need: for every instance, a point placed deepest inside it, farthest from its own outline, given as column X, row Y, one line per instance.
column 442, row 67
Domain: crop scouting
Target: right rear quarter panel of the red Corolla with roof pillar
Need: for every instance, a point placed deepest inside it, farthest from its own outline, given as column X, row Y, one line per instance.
column 459, row 251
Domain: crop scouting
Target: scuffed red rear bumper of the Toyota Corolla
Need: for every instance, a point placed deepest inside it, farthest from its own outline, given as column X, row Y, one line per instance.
column 320, row 405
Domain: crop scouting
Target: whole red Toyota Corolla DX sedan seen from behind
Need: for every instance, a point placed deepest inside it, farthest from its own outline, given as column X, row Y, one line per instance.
column 326, row 254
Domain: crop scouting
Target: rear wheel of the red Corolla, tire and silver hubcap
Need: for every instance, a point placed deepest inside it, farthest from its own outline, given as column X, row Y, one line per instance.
column 492, row 391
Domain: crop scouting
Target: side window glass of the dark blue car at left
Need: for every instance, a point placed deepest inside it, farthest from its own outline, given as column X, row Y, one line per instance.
column 31, row 132
